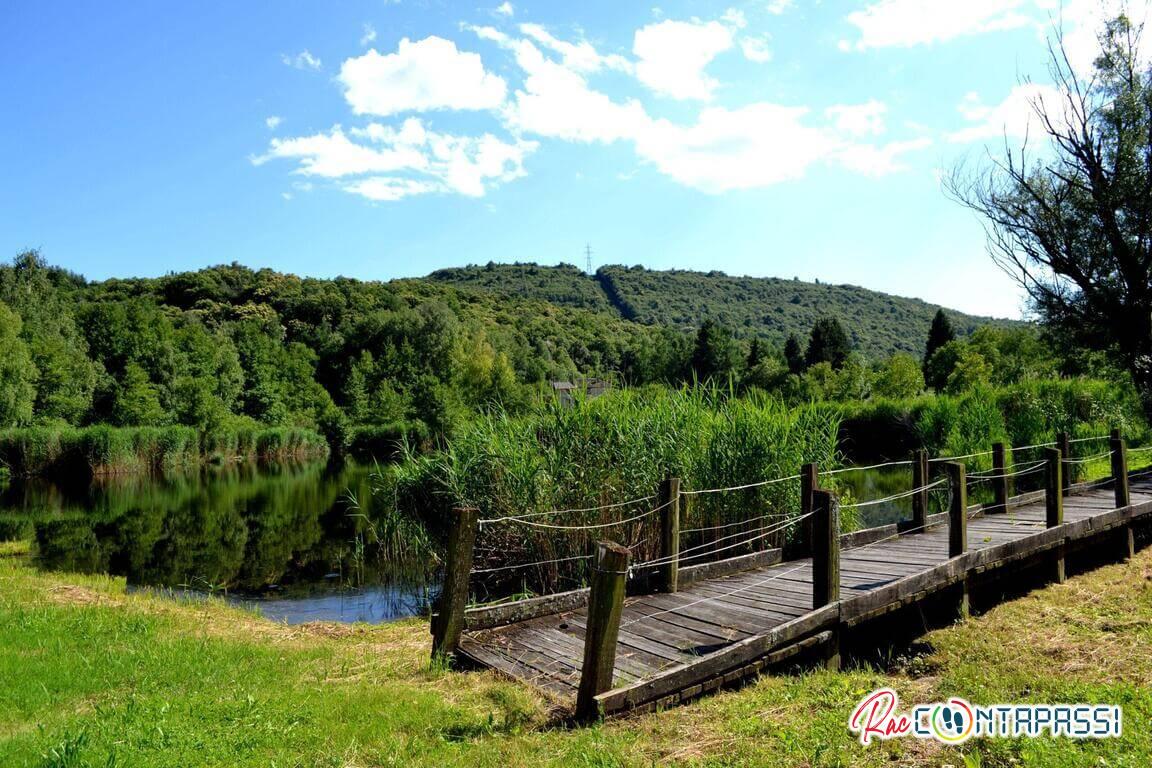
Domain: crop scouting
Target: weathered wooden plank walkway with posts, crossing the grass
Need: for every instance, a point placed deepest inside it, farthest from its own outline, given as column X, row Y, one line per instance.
column 604, row 655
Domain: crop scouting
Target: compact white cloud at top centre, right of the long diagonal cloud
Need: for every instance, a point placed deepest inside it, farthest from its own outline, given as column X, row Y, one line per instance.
column 672, row 57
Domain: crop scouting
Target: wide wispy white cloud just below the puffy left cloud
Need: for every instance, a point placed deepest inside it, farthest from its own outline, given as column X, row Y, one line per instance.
column 383, row 163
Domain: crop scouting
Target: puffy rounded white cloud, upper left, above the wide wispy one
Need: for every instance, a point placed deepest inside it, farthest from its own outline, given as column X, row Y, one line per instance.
column 430, row 74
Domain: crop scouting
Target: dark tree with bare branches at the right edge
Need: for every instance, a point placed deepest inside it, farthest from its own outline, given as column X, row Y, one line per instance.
column 1072, row 220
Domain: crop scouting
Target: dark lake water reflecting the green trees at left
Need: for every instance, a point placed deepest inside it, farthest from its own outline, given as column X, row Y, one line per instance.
column 286, row 539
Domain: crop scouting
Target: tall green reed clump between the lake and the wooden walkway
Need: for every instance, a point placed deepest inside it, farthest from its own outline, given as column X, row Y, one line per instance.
column 612, row 451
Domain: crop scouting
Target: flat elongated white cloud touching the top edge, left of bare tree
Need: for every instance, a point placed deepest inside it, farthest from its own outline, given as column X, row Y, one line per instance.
column 904, row 24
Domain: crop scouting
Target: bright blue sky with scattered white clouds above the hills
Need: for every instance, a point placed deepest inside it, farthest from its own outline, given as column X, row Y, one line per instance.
column 381, row 139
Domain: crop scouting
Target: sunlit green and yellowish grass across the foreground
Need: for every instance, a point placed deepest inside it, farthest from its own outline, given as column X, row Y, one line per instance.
column 97, row 678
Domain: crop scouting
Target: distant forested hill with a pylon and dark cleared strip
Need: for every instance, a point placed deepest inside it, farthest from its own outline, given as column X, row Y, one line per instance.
column 767, row 308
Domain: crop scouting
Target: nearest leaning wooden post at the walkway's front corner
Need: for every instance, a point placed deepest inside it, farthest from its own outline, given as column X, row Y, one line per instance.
column 605, row 604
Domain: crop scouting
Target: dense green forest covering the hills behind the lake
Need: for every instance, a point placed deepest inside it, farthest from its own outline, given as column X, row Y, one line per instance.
column 229, row 351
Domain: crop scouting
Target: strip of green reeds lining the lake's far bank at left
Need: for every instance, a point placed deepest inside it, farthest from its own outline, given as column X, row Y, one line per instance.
column 105, row 450
